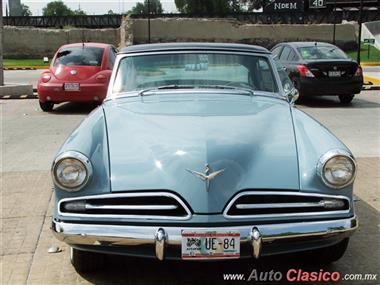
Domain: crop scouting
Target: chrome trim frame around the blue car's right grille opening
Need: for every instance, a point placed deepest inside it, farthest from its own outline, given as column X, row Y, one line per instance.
column 247, row 193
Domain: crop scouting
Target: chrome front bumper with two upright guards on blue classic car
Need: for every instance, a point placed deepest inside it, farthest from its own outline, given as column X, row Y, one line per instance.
column 256, row 236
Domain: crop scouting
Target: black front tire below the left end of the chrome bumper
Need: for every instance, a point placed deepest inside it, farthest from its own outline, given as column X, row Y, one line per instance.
column 86, row 261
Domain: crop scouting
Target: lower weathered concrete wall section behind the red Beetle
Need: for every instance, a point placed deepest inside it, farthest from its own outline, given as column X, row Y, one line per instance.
column 36, row 43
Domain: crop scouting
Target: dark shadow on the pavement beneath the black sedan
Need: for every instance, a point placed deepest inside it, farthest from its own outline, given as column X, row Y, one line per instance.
column 333, row 102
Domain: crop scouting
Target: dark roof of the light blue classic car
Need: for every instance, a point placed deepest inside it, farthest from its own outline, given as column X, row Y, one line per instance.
column 193, row 46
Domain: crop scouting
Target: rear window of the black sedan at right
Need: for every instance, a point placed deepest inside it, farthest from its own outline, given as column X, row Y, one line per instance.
column 321, row 52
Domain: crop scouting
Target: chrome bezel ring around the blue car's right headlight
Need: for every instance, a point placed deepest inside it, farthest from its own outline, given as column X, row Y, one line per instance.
column 334, row 154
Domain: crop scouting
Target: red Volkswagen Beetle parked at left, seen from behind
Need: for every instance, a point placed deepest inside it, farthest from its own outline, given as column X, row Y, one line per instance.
column 78, row 73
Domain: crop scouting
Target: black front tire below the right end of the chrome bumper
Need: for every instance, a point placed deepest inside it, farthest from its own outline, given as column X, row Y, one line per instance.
column 327, row 255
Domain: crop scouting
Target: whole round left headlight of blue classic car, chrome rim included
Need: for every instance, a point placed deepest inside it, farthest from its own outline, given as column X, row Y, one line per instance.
column 71, row 171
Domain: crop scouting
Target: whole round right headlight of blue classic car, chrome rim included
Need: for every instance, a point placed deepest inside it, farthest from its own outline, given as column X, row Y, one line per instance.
column 337, row 169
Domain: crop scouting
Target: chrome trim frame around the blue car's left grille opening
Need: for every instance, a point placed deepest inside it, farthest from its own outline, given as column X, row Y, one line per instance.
column 125, row 195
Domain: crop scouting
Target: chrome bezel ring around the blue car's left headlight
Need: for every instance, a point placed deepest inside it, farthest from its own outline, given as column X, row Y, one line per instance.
column 76, row 156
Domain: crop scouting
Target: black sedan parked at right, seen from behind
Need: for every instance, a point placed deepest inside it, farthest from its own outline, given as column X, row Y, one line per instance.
column 317, row 68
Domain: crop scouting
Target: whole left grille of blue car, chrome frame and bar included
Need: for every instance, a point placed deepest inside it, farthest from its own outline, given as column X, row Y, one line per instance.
column 144, row 205
